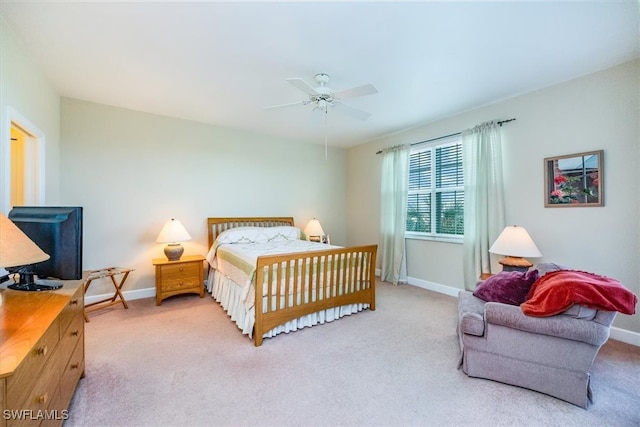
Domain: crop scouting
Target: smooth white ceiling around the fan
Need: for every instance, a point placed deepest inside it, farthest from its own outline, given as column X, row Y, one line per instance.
column 222, row 62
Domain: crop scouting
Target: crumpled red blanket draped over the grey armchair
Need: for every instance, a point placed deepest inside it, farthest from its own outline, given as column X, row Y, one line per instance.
column 555, row 292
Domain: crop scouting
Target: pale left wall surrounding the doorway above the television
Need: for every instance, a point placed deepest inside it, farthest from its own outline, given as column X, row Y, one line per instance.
column 25, row 92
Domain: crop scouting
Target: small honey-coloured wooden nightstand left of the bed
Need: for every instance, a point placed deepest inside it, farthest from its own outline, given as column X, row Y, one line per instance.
column 185, row 276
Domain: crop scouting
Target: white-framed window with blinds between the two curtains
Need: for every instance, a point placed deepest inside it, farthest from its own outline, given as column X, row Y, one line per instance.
column 435, row 203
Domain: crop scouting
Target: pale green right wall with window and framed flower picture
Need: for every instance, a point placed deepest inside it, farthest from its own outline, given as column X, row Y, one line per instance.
column 597, row 111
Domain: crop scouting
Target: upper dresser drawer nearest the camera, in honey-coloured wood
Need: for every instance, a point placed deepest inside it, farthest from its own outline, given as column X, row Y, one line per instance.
column 21, row 382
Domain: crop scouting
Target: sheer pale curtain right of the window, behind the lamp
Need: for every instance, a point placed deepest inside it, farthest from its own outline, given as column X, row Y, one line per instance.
column 484, row 215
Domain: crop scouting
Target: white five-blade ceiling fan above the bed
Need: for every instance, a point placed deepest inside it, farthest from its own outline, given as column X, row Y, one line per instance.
column 323, row 97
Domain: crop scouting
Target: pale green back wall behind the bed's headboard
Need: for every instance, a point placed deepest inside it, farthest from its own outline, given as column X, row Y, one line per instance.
column 132, row 171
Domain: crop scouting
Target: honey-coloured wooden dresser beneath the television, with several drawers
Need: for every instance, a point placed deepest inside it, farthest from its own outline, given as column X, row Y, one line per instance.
column 41, row 354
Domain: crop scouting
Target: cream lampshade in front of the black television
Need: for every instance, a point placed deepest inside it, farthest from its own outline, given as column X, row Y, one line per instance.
column 16, row 249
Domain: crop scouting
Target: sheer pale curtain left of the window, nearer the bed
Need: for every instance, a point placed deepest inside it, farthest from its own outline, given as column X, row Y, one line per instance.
column 393, row 213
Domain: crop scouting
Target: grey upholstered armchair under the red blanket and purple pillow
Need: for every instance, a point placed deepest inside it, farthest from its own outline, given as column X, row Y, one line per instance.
column 551, row 355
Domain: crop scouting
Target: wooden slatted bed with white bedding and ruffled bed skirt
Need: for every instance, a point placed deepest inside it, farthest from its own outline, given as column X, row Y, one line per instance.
column 270, row 280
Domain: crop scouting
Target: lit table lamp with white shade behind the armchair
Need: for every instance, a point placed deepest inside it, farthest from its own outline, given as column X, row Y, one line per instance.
column 515, row 243
